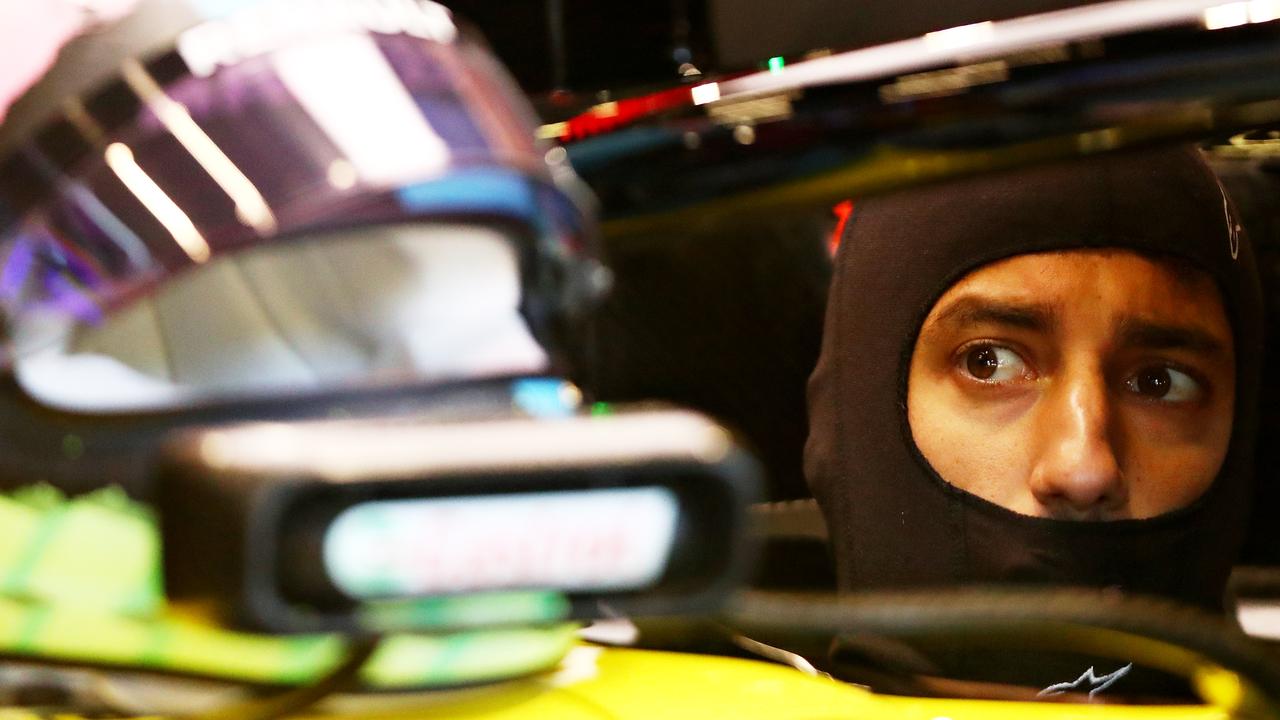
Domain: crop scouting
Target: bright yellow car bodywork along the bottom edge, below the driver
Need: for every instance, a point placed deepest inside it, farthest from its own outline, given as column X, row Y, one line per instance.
column 598, row 683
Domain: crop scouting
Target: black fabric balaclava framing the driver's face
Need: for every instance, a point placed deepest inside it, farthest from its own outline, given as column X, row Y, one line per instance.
column 895, row 523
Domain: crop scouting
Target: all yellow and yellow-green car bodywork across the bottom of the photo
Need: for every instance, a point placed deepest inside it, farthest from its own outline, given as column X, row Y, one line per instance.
column 80, row 586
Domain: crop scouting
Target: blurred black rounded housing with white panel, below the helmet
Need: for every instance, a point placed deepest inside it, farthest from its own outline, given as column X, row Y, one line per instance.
column 374, row 526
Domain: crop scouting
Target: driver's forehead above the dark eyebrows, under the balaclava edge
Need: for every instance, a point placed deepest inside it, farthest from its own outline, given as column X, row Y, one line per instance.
column 1096, row 281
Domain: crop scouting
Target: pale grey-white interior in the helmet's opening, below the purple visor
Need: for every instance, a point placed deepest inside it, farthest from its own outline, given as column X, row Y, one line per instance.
column 424, row 303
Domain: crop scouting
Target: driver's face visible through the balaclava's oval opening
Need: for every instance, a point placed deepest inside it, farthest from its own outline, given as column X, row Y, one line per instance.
column 1085, row 385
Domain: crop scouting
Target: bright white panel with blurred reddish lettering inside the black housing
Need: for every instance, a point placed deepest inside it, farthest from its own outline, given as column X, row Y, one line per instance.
column 575, row 541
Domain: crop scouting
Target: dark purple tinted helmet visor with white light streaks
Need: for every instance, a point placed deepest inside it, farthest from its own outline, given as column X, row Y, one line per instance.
column 336, row 134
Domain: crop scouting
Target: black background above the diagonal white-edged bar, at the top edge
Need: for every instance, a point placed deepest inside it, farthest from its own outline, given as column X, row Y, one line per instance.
column 619, row 45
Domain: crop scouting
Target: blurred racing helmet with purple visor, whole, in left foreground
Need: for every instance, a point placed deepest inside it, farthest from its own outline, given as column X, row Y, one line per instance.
column 271, row 209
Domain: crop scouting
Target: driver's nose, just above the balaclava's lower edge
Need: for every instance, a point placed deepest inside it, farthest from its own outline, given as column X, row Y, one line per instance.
column 1077, row 473
